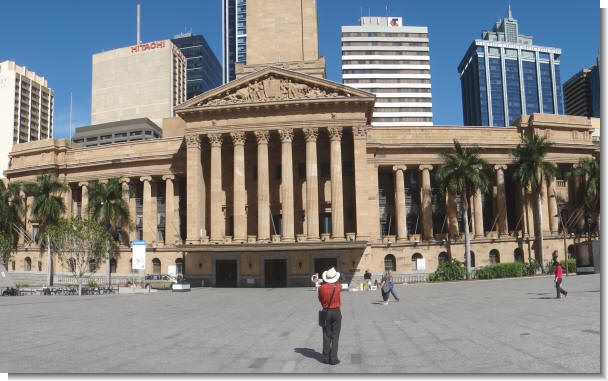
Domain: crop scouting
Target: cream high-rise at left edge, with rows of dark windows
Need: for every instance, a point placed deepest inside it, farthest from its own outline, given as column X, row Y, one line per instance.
column 26, row 108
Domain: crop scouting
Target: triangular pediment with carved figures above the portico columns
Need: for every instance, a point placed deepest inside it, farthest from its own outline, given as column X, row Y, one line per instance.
column 272, row 84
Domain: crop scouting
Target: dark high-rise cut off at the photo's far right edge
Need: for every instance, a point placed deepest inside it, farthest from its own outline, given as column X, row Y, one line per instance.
column 582, row 93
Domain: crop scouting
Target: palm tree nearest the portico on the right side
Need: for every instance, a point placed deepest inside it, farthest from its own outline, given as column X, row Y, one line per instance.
column 462, row 173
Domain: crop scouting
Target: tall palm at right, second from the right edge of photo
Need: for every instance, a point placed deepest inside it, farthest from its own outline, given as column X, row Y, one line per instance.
column 530, row 170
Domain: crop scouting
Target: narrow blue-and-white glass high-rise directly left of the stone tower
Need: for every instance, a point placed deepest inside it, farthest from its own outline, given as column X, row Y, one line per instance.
column 234, row 36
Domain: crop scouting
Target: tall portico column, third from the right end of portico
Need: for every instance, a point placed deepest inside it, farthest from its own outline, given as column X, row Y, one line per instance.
column 312, row 185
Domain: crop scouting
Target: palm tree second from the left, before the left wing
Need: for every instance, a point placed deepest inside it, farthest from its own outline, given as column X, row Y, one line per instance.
column 47, row 207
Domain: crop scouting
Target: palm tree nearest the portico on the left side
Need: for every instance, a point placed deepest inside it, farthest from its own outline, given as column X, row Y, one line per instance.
column 107, row 206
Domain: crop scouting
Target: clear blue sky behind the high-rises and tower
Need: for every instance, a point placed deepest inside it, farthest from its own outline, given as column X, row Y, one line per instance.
column 57, row 39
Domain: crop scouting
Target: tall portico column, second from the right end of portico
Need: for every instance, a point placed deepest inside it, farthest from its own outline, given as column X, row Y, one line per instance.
column 337, row 198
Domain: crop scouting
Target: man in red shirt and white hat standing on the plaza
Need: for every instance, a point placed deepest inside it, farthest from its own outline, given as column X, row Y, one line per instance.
column 329, row 296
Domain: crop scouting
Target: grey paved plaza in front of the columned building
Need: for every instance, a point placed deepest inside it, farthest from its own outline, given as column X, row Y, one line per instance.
column 497, row 326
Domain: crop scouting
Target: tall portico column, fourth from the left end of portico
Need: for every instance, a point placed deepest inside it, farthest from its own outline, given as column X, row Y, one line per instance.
column 262, row 138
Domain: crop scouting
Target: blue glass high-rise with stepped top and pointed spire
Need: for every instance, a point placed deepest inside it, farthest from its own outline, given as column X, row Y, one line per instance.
column 503, row 75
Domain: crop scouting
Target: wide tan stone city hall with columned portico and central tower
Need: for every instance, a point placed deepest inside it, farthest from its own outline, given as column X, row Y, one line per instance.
column 280, row 174
